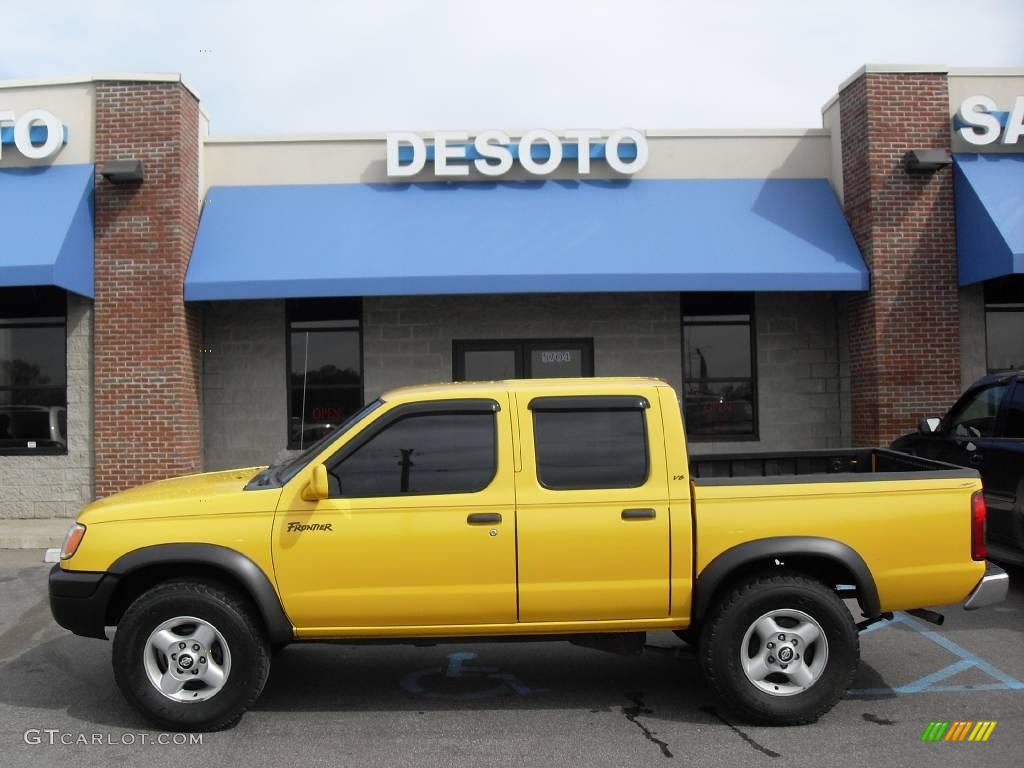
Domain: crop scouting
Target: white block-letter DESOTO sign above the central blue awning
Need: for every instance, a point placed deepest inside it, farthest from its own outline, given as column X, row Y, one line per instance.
column 491, row 152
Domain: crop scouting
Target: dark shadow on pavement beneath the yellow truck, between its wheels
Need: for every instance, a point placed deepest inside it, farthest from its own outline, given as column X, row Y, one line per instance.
column 492, row 676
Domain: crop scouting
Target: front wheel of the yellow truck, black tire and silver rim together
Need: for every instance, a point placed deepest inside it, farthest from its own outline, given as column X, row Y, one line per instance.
column 190, row 656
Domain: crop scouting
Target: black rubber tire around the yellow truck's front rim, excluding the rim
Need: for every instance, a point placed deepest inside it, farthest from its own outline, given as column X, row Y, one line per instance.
column 234, row 618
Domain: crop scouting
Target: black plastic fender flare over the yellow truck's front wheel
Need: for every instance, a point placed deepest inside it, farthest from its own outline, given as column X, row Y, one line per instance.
column 247, row 573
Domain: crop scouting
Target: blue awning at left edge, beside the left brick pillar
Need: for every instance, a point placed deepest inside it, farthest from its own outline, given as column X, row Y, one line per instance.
column 47, row 227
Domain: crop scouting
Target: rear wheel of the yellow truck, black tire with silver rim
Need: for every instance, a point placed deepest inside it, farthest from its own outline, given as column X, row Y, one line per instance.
column 781, row 650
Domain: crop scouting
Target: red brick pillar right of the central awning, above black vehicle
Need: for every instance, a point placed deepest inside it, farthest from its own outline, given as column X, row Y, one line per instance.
column 905, row 334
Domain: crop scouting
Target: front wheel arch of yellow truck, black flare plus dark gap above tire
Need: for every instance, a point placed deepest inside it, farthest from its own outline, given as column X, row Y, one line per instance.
column 140, row 570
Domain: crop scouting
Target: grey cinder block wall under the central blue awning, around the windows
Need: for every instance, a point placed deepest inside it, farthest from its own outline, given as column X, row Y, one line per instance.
column 408, row 340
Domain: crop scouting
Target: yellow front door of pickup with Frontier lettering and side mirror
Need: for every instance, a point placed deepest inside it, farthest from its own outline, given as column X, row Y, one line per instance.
column 418, row 530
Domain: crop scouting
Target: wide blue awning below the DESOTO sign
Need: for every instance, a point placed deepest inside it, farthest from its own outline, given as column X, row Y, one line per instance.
column 480, row 238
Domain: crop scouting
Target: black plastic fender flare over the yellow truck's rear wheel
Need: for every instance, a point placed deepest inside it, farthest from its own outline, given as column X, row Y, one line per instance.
column 719, row 570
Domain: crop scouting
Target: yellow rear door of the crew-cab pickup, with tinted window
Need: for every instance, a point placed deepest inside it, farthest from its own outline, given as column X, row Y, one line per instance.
column 592, row 508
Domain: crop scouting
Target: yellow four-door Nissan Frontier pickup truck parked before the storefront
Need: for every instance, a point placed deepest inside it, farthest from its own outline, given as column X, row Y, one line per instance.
column 522, row 508
